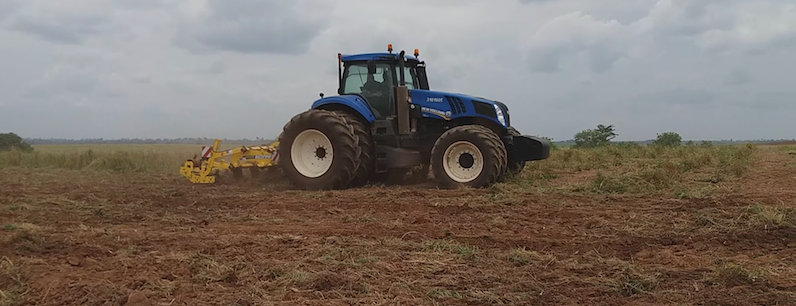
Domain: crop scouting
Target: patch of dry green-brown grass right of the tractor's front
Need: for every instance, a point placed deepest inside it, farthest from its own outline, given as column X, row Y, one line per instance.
column 685, row 172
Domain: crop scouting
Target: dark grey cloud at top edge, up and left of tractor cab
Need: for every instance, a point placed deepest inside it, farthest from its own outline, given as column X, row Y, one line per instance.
column 251, row 26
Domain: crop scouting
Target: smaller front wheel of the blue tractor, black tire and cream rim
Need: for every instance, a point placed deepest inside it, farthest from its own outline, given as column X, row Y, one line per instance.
column 468, row 156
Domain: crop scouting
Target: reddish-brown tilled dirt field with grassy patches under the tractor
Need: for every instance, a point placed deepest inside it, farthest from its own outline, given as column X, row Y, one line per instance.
column 562, row 234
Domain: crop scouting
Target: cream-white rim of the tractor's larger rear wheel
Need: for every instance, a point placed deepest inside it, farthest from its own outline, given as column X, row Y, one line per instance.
column 311, row 153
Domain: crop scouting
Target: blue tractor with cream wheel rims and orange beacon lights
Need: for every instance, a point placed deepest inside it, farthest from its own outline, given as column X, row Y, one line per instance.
column 386, row 118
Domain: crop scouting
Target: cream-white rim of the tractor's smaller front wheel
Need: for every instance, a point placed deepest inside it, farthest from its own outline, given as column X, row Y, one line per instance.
column 463, row 161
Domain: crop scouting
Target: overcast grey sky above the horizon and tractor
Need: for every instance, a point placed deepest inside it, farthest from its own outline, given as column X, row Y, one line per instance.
column 707, row 69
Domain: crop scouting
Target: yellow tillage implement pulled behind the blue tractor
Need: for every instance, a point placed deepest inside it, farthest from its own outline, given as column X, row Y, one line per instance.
column 203, row 171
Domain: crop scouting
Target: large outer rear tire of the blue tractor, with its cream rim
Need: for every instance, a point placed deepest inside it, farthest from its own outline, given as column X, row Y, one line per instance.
column 318, row 151
